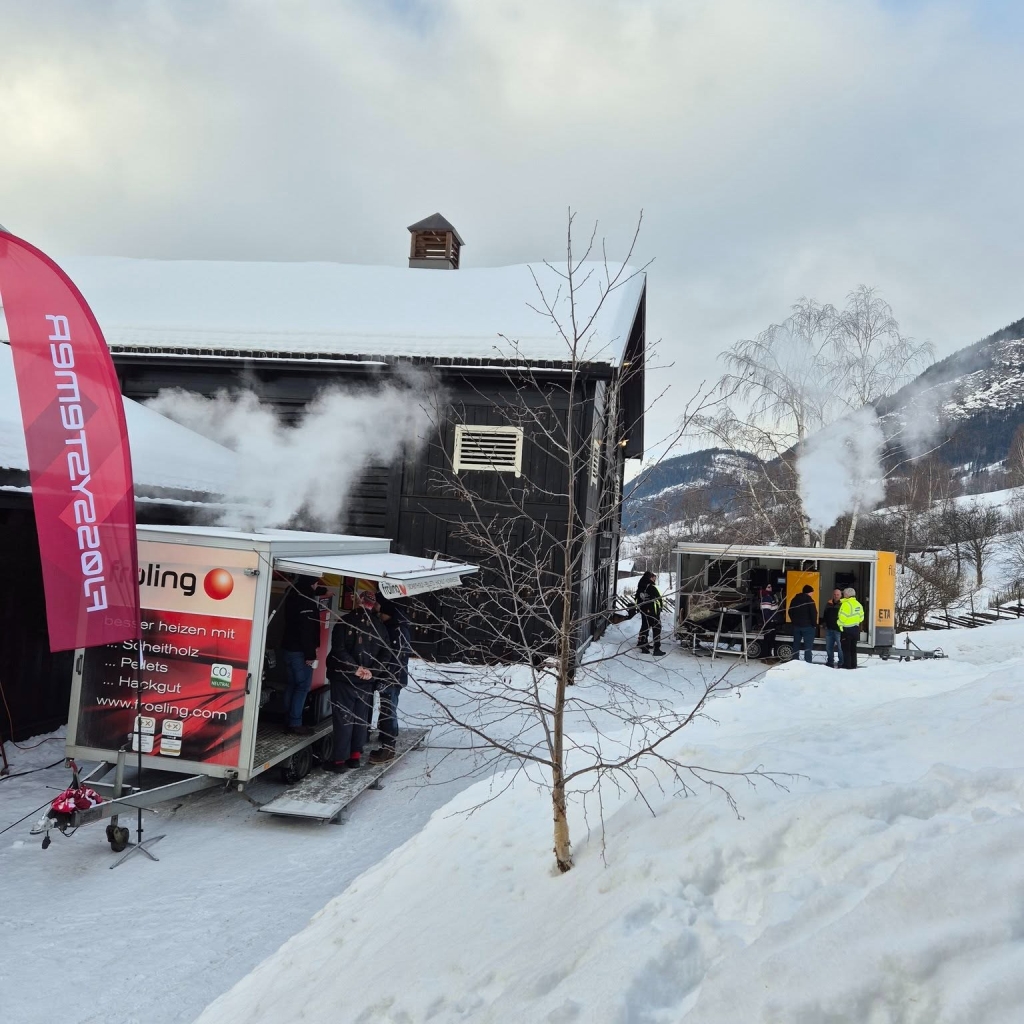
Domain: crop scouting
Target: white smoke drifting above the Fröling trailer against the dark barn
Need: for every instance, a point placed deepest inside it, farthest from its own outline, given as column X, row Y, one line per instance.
column 307, row 468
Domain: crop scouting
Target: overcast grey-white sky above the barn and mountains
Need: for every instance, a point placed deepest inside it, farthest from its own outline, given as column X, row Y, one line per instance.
column 778, row 148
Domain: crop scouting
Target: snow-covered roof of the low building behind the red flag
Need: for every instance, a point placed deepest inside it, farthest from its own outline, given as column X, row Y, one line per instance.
column 165, row 455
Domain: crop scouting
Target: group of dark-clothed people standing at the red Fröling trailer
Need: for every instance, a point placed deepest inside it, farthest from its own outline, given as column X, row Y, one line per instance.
column 370, row 651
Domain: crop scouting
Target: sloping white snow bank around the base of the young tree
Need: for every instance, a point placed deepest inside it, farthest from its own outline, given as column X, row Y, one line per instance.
column 882, row 885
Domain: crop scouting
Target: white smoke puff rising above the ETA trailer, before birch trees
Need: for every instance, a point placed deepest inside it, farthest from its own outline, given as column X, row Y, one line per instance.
column 840, row 468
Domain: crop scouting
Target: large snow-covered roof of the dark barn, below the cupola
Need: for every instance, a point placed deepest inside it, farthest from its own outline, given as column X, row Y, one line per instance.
column 339, row 311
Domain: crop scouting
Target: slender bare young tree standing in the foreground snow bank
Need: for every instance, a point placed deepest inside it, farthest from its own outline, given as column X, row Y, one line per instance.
column 533, row 703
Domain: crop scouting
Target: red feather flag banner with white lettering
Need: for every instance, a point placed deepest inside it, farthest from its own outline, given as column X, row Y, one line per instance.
column 79, row 460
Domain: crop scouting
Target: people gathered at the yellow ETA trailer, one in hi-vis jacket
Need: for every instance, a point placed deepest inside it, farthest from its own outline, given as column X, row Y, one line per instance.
column 842, row 619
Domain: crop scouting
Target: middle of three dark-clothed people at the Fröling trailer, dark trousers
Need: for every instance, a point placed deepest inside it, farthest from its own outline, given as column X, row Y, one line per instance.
column 357, row 666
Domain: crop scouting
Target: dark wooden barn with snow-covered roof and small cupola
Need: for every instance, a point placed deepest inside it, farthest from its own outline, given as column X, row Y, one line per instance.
column 287, row 331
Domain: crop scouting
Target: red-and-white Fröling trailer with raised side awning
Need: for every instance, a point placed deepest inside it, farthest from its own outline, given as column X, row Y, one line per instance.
column 204, row 681
